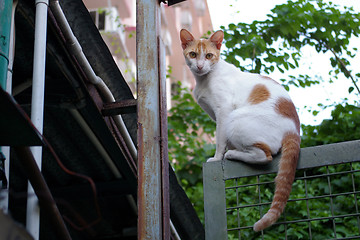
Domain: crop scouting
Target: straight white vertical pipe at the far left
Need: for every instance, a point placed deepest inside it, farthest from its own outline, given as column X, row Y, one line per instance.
column 37, row 107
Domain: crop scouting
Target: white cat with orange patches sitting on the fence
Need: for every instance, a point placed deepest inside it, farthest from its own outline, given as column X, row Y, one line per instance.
column 255, row 117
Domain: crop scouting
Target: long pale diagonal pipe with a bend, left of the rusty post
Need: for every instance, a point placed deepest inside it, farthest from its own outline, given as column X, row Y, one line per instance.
column 76, row 49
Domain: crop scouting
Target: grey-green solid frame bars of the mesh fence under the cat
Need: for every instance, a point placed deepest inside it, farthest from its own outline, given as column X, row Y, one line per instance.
column 216, row 173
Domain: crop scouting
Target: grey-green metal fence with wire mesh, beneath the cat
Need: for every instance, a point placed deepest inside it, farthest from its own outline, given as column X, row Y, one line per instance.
column 324, row 203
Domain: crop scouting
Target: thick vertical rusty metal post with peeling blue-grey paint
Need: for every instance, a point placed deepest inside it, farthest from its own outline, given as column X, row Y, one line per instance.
column 153, row 203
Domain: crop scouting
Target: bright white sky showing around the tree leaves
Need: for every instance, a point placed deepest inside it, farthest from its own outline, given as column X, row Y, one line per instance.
column 234, row 11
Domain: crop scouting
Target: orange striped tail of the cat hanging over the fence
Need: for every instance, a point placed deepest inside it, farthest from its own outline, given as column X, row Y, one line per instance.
column 283, row 180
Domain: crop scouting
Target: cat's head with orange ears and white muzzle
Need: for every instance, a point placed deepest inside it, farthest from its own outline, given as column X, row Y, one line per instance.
column 201, row 55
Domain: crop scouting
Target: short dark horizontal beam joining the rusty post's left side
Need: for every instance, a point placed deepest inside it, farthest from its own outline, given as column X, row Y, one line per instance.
column 119, row 107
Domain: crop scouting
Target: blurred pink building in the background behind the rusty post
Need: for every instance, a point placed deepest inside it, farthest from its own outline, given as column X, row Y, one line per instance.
column 191, row 14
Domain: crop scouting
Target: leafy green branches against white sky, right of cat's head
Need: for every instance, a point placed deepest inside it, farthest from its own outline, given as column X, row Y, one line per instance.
column 263, row 46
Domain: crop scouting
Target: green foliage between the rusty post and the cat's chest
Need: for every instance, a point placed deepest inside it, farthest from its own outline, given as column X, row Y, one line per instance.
column 189, row 132
